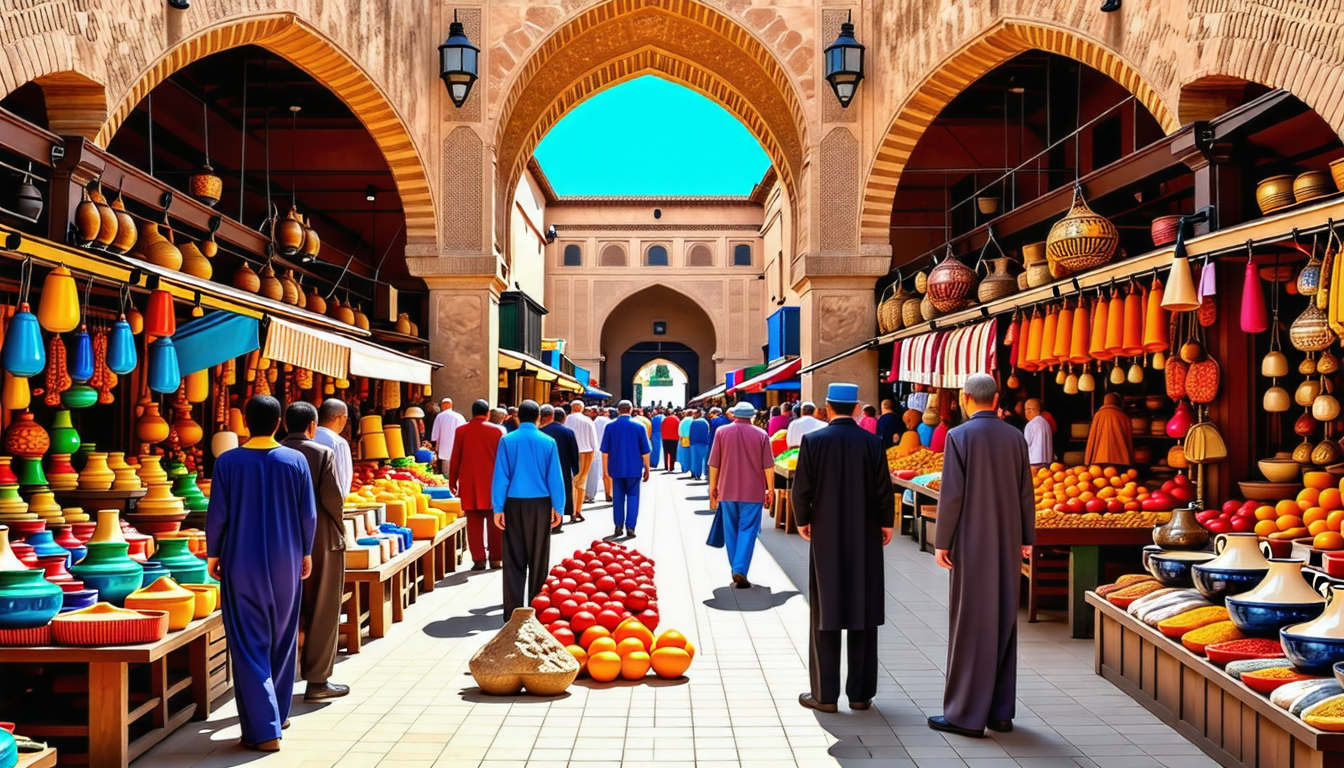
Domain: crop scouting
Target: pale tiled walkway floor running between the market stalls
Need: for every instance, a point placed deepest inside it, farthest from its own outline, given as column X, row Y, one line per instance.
column 413, row 704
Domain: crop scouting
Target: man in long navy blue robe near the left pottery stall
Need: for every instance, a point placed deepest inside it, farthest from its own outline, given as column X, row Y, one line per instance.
column 260, row 540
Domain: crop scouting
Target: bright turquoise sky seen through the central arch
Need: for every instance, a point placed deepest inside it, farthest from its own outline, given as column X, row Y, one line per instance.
column 651, row 138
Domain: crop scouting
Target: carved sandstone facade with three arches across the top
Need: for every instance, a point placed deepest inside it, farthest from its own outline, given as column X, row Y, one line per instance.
column 761, row 60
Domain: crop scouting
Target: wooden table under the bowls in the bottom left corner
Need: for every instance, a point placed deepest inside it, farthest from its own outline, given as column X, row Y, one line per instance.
column 114, row 707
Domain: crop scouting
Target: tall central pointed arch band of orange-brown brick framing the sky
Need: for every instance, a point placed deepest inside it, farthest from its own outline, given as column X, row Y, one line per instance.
column 686, row 42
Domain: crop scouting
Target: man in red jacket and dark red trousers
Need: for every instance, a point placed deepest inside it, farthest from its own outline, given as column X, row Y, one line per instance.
column 470, row 474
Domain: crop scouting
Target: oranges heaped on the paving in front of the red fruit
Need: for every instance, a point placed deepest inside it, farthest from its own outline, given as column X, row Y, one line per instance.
column 631, row 652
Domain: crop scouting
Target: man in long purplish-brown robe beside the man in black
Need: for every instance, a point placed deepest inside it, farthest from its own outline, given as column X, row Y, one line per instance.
column 987, row 523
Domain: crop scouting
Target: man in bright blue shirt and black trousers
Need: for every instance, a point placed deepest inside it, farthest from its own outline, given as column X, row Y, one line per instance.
column 528, row 494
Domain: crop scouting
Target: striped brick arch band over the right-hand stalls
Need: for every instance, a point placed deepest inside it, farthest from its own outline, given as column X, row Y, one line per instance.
column 951, row 77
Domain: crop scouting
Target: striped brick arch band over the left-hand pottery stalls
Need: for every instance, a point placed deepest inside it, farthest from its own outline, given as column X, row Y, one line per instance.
column 310, row 50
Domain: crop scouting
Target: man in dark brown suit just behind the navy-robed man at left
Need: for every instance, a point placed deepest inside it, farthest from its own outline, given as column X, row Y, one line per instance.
column 321, row 613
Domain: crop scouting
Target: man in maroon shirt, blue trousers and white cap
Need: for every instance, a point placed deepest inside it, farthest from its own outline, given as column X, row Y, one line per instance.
column 741, row 485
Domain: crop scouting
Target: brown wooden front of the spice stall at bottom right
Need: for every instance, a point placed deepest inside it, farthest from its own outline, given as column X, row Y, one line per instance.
column 1220, row 715
